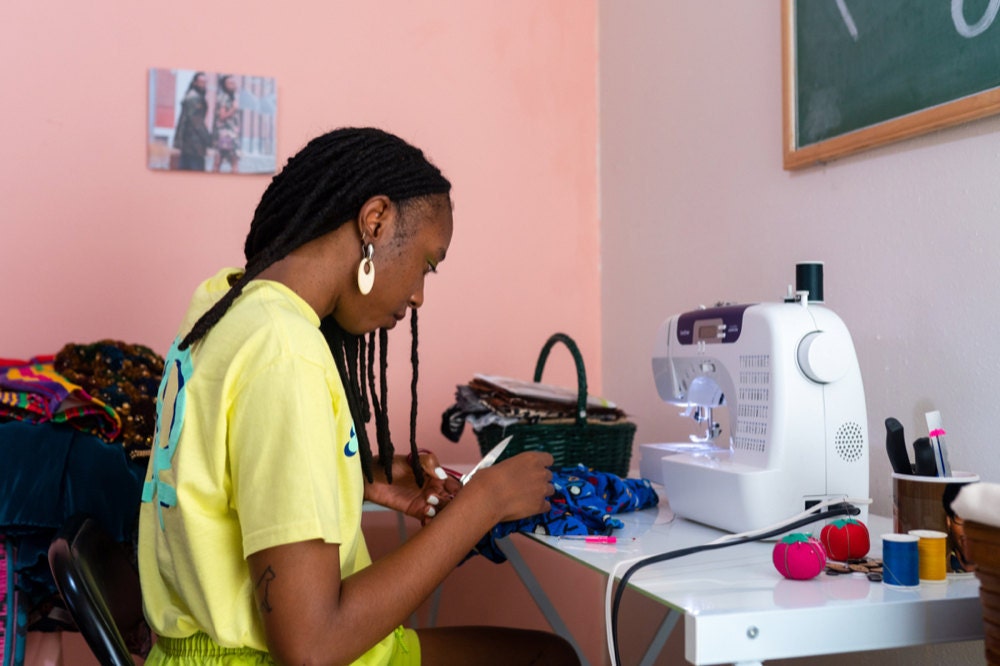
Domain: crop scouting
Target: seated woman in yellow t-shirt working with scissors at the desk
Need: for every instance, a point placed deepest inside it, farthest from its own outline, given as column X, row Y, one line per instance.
column 250, row 543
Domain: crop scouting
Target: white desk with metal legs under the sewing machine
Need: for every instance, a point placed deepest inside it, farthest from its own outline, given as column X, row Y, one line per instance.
column 738, row 609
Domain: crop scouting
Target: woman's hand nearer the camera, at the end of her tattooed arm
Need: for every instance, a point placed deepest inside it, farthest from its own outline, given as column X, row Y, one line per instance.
column 519, row 486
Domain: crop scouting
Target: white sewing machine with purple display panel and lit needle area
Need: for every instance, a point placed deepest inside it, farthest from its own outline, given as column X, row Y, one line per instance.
column 788, row 375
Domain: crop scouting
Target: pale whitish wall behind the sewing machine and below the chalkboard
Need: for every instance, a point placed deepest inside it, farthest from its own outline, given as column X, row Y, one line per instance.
column 696, row 208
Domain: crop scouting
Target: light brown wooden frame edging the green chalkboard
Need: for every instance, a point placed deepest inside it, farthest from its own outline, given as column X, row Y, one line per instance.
column 912, row 124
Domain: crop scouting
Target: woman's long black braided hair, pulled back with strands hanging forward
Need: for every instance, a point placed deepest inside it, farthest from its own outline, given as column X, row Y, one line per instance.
column 321, row 188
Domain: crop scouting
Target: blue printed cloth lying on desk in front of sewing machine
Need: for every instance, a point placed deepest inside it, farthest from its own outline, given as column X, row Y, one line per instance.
column 585, row 502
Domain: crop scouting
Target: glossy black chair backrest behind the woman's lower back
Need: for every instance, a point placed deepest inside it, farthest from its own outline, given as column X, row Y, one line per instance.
column 100, row 587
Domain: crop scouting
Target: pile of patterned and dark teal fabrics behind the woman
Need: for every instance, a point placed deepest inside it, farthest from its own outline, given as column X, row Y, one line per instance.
column 76, row 430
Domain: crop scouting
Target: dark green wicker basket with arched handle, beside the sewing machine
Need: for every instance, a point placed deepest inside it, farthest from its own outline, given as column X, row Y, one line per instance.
column 603, row 446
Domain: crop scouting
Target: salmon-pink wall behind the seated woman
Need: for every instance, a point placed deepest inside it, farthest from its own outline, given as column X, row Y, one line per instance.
column 502, row 96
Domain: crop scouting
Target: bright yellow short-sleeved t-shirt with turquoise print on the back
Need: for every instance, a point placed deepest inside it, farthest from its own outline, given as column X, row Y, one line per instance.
column 267, row 455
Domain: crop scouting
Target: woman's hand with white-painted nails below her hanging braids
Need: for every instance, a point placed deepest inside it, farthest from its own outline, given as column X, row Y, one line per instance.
column 404, row 495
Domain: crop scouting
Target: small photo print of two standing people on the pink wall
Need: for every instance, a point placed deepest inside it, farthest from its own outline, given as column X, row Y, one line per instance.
column 211, row 122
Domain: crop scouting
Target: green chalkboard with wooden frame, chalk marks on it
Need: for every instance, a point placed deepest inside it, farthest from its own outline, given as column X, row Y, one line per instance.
column 861, row 73
